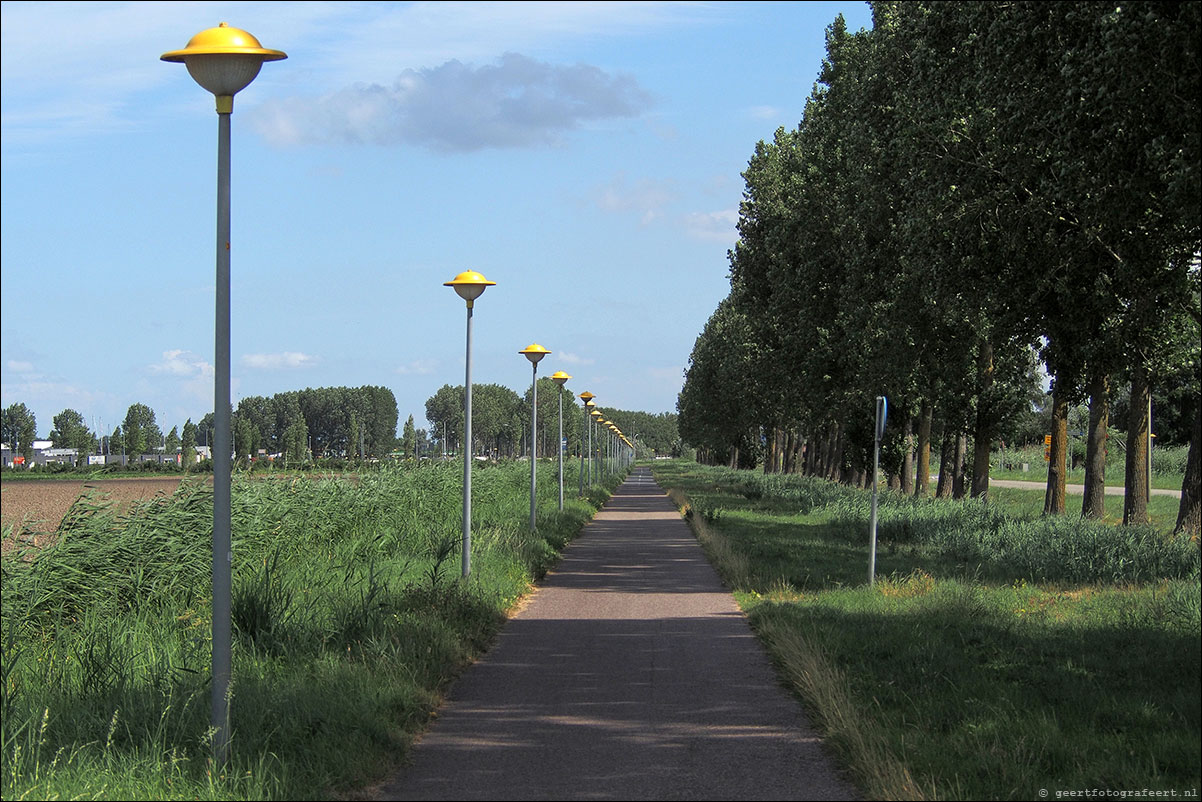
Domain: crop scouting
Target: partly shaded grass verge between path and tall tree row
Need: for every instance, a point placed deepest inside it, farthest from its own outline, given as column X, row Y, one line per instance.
column 998, row 656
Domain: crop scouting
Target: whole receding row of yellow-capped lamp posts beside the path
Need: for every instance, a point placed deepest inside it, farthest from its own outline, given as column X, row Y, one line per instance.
column 225, row 61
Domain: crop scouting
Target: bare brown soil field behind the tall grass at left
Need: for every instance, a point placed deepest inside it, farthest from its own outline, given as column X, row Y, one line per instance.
column 37, row 508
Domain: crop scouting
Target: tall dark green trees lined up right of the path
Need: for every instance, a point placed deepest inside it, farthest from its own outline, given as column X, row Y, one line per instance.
column 973, row 185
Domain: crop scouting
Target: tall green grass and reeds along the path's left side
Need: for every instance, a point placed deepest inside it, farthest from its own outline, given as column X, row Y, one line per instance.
column 350, row 617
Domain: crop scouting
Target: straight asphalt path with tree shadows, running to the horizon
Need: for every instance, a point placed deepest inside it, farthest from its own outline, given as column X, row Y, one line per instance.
column 630, row 675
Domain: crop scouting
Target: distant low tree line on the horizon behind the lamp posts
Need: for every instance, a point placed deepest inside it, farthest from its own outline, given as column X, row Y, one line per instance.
column 352, row 423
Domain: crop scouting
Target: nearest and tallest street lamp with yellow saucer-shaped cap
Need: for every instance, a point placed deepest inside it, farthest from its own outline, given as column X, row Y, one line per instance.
column 224, row 61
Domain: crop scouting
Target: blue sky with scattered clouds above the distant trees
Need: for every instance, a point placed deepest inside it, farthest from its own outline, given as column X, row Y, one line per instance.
column 585, row 157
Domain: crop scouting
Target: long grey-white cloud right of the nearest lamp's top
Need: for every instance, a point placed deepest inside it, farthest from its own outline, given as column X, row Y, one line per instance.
column 517, row 103
